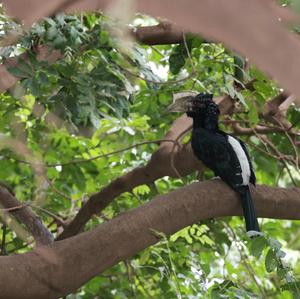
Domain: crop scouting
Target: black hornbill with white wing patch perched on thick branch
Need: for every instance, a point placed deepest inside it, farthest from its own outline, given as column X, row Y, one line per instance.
column 226, row 155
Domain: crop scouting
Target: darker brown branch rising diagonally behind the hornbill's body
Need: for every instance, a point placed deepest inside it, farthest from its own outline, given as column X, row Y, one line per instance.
column 166, row 161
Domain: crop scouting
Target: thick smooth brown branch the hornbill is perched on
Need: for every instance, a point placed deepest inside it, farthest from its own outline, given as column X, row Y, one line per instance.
column 56, row 270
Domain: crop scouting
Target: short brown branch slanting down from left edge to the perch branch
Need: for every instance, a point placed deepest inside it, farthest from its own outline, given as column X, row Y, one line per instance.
column 26, row 216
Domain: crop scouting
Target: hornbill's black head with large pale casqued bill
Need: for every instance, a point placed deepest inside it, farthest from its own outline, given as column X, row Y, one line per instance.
column 195, row 105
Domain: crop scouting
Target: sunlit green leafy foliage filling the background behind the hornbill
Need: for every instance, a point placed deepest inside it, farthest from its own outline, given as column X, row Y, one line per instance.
column 93, row 101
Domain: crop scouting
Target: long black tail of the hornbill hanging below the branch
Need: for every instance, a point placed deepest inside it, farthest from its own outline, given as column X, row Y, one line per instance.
column 248, row 208
